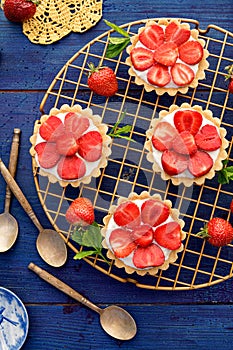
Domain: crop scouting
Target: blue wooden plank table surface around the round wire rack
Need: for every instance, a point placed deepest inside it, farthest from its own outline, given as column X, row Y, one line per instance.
column 184, row 319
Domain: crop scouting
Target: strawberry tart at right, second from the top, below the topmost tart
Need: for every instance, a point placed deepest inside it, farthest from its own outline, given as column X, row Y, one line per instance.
column 186, row 144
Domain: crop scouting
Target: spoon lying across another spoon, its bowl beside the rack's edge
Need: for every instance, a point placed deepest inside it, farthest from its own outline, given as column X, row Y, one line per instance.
column 50, row 244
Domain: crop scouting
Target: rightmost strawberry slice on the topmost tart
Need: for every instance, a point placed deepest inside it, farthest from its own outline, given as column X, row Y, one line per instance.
column 191, row 52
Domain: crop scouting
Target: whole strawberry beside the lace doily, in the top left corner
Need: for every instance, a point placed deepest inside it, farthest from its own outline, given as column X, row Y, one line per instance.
column 20, row 10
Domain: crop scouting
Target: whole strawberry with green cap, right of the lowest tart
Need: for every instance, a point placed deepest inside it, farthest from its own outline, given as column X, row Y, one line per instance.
column 218, row 232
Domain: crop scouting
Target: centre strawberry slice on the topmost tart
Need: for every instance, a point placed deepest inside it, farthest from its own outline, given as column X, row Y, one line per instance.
column 166, row 54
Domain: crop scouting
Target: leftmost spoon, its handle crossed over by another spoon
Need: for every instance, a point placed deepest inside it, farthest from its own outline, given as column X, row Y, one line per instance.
column 8, row 224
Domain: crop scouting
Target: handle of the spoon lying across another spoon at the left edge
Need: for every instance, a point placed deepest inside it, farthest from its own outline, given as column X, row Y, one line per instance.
column 19, row 194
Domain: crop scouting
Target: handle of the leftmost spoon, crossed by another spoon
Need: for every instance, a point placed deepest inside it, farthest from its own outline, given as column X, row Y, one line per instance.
column 12, row 165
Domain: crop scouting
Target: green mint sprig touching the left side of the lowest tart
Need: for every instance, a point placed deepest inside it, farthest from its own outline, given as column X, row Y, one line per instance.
column 88, row 237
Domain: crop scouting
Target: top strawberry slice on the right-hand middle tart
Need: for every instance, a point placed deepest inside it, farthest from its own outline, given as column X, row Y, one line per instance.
column 188, row 120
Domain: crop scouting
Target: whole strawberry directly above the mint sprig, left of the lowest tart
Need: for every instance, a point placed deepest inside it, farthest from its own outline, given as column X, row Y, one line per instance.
column 80, row 212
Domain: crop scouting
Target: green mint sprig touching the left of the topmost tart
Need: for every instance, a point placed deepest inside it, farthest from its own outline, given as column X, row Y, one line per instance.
column 116, row 44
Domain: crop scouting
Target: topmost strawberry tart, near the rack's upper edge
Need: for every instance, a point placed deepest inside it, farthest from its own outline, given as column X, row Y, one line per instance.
column 167, row 56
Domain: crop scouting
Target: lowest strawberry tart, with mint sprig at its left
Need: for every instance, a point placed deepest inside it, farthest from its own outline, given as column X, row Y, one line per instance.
column 142, row 233
